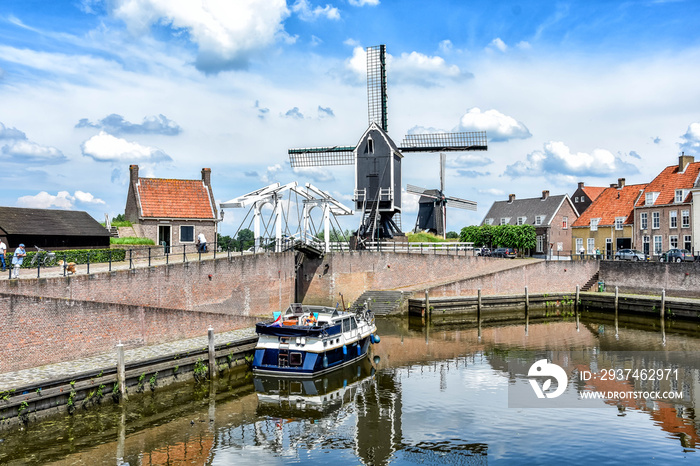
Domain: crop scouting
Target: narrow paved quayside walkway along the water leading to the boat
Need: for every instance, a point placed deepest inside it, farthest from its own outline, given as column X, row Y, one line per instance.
column 37, row 375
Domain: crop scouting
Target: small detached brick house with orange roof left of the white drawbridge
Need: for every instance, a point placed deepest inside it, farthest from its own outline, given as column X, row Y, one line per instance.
column 172, row 212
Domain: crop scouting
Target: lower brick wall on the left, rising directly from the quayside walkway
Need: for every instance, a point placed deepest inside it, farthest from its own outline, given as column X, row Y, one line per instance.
column 38, row 331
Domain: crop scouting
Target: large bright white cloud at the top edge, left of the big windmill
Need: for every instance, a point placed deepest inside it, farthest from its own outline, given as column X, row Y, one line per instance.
column 226, row 33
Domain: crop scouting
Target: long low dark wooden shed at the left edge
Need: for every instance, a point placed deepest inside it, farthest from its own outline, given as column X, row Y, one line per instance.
column 49, row 228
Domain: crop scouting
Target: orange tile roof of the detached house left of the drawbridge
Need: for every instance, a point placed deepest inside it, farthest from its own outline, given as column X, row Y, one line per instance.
column 166, row 198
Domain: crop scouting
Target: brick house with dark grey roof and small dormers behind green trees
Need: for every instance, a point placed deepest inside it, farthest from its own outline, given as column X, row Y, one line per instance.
column 551, row 216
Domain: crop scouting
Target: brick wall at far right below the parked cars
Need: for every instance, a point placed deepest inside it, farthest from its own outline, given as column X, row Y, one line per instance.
column 680, row 280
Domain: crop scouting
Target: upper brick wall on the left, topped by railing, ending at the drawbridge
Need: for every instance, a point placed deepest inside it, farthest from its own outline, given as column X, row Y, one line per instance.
column 245, row 285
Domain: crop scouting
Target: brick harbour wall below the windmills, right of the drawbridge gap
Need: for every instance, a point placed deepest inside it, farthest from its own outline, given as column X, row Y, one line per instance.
column 355, row 272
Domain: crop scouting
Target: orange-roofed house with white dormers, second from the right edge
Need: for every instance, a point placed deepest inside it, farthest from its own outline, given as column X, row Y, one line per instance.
column 608, row 223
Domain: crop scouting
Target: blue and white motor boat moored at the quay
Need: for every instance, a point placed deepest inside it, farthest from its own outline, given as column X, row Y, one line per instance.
column 309, row 340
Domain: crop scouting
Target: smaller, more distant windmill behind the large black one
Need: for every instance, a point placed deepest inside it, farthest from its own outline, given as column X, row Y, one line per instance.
column 432, row 205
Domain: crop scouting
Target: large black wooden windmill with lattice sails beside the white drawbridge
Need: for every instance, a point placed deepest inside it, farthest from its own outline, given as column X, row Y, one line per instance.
column 377, row 158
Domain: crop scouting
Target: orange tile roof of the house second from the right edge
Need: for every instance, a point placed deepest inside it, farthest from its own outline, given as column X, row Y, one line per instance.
column 609, row 205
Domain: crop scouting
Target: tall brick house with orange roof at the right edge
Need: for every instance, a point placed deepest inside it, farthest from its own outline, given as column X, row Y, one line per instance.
column 663, row 215
